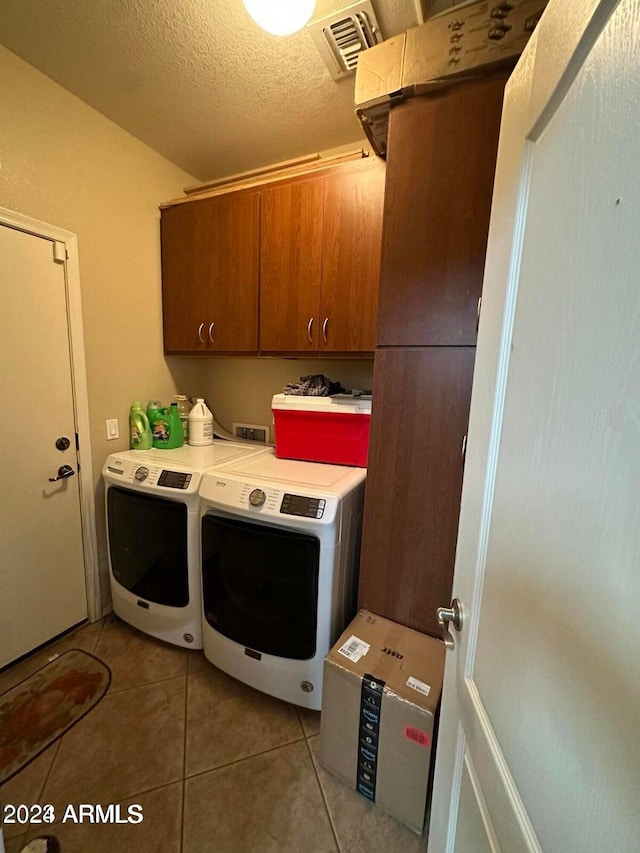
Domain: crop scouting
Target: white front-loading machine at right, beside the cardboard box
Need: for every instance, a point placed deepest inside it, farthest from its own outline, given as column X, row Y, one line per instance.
column 280, row 555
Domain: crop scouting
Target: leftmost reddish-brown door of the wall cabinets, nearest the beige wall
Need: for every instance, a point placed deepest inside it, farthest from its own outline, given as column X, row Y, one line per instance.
column 185, row 299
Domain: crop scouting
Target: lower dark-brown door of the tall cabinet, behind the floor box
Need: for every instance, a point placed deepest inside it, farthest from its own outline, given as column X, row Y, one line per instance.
column 414, row 481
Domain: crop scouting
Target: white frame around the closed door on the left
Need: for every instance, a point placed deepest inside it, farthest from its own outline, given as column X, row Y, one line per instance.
column 46, row 231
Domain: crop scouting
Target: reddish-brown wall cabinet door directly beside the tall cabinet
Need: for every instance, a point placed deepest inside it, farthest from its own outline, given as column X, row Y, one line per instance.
column 353, row 205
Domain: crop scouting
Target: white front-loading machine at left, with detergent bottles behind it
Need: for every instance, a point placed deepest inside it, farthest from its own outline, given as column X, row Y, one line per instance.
column 153, row 532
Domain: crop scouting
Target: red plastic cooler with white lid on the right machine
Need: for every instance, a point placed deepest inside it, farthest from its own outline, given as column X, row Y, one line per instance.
column 322, row 429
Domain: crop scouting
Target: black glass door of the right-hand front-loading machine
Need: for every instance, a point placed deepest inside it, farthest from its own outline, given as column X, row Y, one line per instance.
column 260, row 586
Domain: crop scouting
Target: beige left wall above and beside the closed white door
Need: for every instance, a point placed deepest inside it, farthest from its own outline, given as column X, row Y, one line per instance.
column 65, row 164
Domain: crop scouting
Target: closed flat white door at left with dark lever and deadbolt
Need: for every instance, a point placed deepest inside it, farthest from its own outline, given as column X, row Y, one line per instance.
column 42, row 577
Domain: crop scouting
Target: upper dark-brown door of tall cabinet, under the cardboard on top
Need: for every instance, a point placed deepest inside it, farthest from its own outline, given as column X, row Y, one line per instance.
column 440, row 165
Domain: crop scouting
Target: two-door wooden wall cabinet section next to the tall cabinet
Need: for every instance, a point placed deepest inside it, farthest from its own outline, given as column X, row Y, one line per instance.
column 320, row 261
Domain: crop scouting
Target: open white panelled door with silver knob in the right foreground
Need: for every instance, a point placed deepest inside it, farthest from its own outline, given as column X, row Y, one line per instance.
column 539, row 743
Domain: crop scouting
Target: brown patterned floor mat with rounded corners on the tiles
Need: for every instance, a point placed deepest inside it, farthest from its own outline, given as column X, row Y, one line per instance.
column 40, row 709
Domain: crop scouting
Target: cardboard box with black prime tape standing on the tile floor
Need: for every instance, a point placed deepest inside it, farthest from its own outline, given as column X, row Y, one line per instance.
column 380, row 696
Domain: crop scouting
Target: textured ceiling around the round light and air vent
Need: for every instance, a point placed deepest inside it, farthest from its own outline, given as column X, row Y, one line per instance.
column 197, row 80
